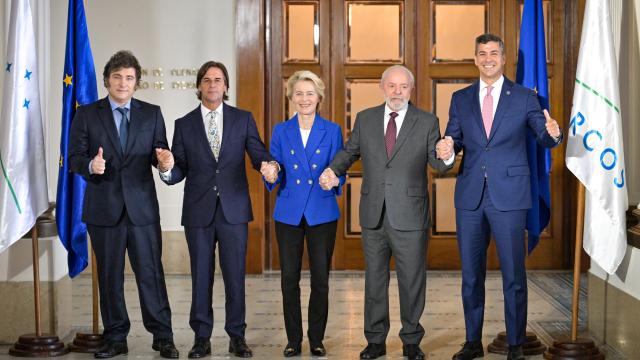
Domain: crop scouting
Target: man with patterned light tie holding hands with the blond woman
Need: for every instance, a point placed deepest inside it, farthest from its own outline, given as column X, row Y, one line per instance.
column 209, row 145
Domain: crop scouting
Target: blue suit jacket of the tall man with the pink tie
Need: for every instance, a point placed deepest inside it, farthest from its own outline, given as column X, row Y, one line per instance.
column 503, row 156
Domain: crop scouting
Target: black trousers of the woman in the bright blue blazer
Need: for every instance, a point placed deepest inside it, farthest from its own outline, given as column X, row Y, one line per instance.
column 320, row 243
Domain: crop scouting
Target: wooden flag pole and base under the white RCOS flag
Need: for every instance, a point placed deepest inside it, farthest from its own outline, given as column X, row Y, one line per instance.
column 575, row 347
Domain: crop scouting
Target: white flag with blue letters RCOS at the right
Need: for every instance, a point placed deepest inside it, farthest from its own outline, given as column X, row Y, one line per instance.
column 594, row 148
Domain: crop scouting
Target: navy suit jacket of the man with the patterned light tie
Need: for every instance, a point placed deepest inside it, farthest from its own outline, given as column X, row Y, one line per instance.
column 209, row 181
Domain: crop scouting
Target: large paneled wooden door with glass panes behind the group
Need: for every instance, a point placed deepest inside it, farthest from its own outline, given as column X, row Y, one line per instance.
column 350, row 43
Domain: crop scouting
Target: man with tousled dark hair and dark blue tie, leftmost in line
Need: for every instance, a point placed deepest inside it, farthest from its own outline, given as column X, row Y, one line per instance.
column 113, row 144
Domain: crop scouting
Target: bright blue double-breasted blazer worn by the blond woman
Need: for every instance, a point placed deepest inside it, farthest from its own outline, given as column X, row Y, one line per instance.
column 299, row 192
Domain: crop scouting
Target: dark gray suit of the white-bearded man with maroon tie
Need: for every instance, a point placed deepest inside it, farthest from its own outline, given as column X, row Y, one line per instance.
column 394, row 214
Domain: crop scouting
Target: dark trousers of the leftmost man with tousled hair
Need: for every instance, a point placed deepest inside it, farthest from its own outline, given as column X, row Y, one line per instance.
column 144, row 246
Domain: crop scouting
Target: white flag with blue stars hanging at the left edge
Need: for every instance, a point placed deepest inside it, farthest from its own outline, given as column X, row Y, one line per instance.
column 23, row 181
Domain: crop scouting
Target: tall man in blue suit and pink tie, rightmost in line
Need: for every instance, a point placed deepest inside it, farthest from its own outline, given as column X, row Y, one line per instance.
column 489, row 121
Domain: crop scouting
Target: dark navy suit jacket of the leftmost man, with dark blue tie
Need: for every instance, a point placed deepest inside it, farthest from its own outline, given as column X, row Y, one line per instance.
column 128, row 177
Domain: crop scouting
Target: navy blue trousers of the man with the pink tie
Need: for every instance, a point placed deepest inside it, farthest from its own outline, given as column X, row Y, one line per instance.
column 474, row 228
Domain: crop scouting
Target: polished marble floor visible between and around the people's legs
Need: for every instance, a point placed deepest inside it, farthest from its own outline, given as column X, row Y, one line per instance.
column 549, row 315
